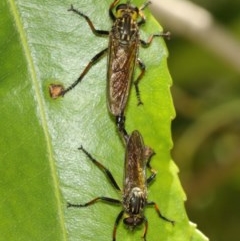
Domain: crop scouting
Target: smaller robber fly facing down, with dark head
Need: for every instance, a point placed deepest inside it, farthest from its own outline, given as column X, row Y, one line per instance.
column 135, row 182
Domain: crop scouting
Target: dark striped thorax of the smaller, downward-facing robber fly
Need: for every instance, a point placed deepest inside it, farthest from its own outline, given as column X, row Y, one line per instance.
column 135, row 201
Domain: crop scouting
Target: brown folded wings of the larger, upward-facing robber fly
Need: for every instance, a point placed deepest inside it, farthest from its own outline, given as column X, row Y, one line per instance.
column 121, row 63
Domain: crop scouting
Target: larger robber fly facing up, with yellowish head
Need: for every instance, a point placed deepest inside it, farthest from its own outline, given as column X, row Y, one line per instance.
column 122, row 53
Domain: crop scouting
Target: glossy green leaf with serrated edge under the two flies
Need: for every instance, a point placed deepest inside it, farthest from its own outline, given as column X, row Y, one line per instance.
column 41, row 168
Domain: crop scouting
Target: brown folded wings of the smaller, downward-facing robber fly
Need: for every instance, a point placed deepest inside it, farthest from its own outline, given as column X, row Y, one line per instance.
column 135, row 163
